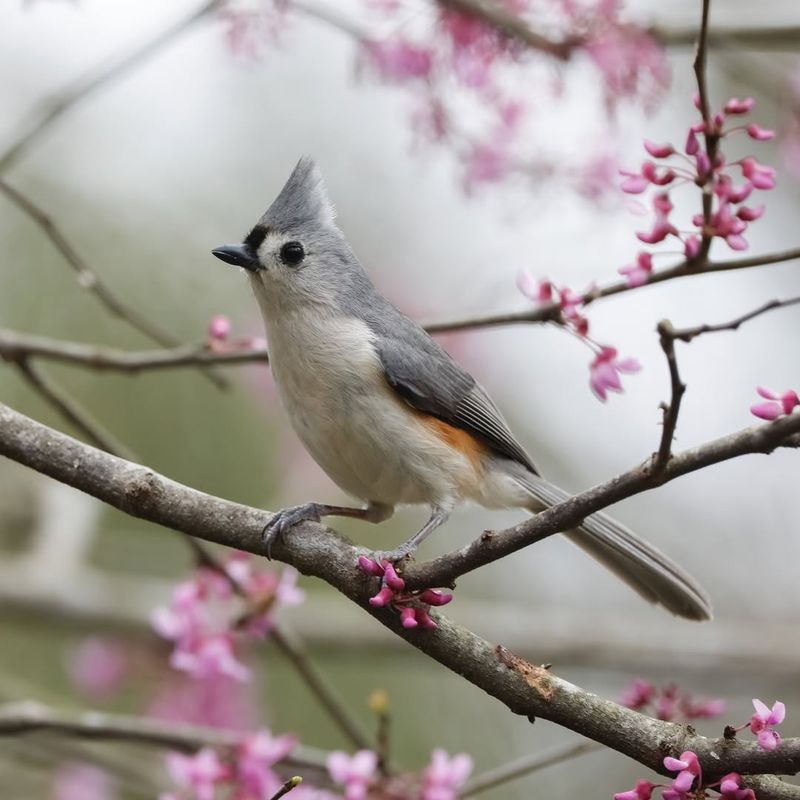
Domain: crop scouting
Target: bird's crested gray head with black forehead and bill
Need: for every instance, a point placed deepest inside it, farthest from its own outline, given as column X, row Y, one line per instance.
column 295, row 255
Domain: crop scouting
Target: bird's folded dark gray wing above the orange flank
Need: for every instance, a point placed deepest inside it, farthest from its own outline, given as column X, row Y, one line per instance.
column 428, row 379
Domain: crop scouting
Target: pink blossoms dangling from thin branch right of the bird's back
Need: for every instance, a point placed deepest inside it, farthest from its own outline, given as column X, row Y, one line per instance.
column 606, row 368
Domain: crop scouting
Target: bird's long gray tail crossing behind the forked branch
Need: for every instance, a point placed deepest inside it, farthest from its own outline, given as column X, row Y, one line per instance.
column 649, row 572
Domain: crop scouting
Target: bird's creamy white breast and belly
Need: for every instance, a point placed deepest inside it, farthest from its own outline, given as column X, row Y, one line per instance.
column 368, row 440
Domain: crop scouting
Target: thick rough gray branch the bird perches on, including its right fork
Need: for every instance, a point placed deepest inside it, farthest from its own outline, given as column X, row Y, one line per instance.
column 314, row 549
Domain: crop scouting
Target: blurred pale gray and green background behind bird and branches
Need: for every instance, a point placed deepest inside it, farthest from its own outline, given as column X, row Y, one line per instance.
column 182, row 152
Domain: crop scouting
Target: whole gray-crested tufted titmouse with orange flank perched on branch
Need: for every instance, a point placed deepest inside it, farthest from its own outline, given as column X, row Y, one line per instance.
column 386, row 412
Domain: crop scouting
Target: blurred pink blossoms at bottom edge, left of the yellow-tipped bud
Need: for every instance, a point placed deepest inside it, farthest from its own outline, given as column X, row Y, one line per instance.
column 248, row 774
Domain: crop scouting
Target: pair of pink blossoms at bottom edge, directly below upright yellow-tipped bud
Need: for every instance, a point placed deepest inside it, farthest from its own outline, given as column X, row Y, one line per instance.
column 440, row 780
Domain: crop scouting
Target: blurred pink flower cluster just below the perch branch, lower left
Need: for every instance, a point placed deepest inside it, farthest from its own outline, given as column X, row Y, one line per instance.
column 208, row 617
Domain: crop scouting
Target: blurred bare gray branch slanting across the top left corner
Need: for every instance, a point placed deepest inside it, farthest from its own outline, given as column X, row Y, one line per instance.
column 54, row 108
